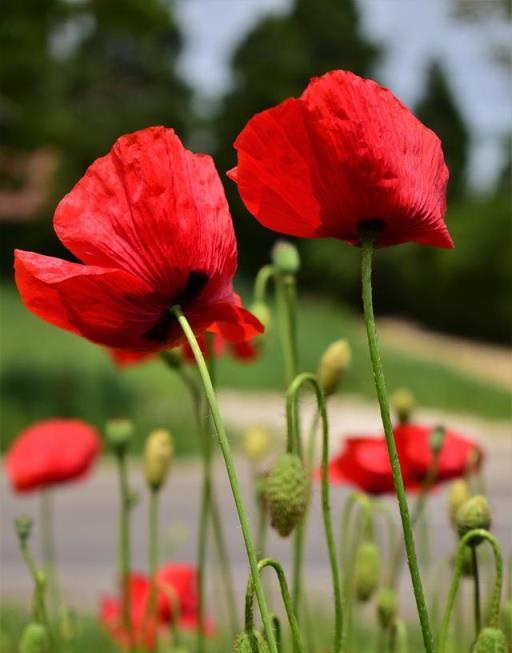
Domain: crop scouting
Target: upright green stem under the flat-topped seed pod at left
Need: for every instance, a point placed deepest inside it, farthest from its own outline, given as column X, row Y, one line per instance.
column 124, row 544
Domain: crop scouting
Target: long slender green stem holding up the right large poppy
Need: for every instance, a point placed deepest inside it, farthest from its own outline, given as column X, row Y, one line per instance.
column 366, row 269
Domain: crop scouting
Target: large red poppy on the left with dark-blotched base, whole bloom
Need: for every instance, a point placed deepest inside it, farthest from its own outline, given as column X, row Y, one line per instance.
column 151, row 224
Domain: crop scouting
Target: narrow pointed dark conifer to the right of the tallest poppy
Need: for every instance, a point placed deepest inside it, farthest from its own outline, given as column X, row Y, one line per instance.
column 438, row 110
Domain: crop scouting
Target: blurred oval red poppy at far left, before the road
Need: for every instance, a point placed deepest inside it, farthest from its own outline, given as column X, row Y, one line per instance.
column 51, row 452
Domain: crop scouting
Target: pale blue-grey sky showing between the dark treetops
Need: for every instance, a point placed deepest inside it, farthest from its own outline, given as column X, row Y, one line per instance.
column 412, row 31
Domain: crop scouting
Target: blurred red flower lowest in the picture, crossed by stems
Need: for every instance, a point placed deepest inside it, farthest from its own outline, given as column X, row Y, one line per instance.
column 177, row 587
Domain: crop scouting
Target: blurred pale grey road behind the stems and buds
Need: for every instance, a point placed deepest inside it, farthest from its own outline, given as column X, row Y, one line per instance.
column 86, row 512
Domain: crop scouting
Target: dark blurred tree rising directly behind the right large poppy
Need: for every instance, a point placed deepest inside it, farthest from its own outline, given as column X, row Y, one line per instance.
column 274, row 62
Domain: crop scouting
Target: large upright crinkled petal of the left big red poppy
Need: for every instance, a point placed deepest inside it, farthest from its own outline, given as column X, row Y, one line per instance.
column 151, row 208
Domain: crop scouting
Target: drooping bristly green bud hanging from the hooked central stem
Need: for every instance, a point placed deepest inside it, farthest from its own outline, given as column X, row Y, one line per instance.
column 286, row 493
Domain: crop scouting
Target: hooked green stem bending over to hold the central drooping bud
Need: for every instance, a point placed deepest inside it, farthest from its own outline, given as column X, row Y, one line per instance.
column 293, row 436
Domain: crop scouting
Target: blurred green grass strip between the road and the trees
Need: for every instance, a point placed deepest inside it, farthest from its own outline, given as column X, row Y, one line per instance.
column 48, row 372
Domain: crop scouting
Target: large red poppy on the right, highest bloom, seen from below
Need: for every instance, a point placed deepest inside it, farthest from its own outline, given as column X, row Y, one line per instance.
column 346, row 153
